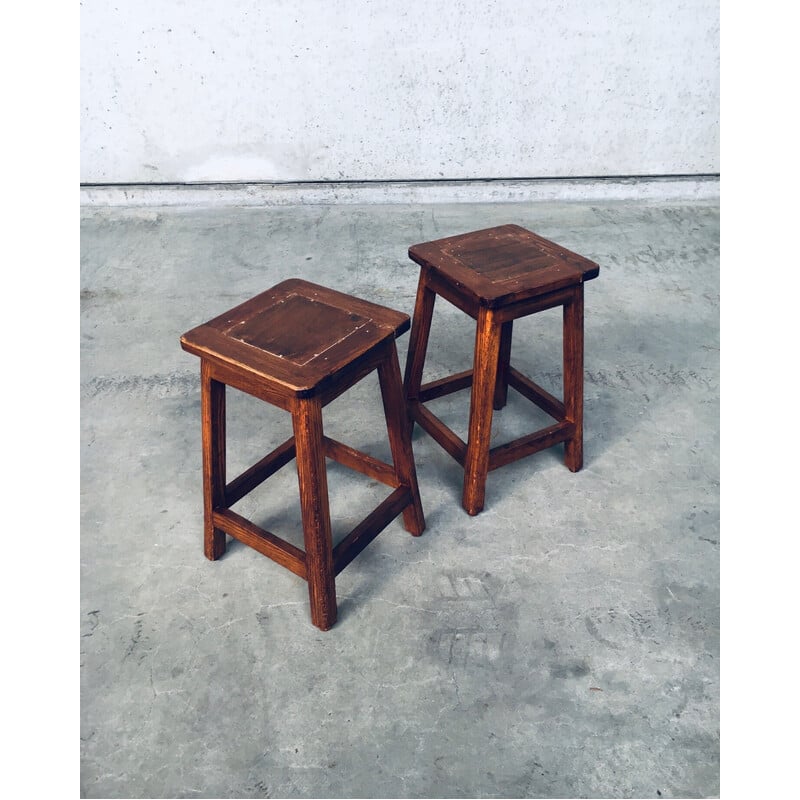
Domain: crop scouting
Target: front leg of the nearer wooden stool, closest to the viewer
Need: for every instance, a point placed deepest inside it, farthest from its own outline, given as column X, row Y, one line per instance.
column 313, row 481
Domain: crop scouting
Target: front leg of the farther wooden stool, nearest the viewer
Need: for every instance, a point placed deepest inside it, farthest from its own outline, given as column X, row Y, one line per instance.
column 484, row 380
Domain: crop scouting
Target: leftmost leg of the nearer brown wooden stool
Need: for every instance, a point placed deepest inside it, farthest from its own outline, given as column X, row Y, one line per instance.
column 212, row 420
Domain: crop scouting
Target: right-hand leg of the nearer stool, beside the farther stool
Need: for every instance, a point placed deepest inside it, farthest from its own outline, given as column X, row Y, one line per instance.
column 399, row 438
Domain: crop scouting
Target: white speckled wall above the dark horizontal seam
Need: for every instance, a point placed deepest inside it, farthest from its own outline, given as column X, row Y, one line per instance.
column 283, row 90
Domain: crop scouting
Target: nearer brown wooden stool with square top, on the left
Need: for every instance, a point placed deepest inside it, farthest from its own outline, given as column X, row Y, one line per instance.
column 299, row 346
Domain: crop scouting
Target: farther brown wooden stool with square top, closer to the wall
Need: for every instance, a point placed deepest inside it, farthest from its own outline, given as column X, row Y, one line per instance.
column 498, row 275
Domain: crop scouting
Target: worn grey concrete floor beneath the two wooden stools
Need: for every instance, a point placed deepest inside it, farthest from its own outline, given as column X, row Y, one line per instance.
column 564, row 643
